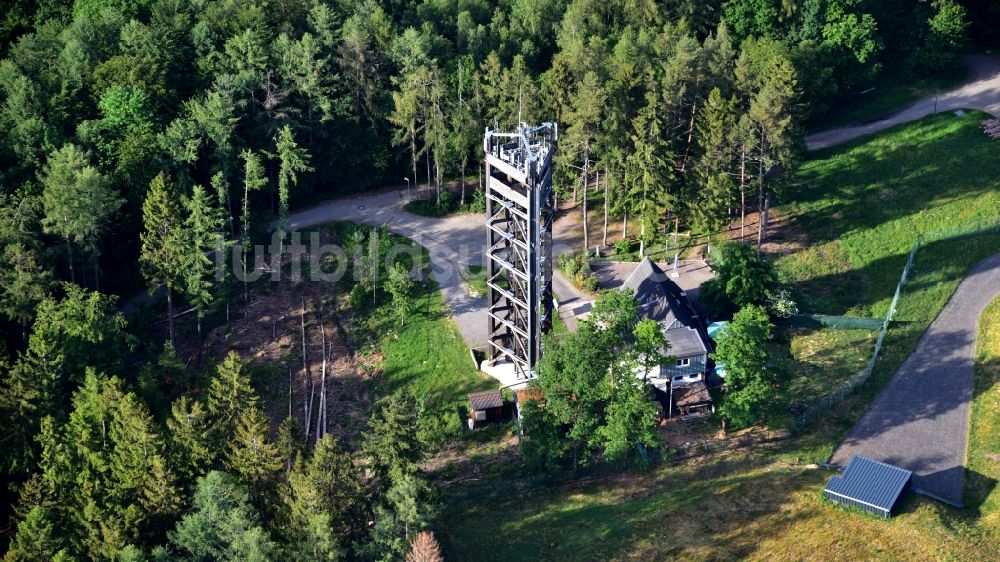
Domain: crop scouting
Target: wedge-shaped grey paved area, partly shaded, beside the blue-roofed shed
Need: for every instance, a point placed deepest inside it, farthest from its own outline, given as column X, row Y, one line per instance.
column 920, row 421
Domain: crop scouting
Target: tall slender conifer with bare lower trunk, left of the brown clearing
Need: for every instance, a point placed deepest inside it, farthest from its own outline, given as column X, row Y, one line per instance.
column 163, row 254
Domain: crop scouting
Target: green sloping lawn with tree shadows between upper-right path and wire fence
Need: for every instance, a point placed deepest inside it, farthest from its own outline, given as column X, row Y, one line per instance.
column 856, row 209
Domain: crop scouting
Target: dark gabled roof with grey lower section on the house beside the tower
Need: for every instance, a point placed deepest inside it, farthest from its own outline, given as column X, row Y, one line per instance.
column 662, row 300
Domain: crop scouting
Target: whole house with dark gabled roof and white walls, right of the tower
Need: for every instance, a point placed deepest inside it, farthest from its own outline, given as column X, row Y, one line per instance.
column 683, row 328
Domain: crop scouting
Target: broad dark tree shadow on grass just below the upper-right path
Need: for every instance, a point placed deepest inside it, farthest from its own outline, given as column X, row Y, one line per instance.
column 899, row 173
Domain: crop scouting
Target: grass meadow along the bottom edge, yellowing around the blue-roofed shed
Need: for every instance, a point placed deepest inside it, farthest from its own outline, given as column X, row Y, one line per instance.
column 737, row 507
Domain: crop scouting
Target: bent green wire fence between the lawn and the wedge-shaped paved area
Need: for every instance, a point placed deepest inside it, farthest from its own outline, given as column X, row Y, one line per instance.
column 814, row 411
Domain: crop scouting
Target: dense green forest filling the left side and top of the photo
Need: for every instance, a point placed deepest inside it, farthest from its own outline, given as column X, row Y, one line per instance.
column 139, row 136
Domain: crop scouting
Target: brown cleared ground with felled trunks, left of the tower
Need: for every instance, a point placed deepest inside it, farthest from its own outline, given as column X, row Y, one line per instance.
column 289, row 376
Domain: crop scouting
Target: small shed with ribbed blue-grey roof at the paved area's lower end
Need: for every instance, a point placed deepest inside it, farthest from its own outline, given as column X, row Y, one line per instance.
column 871, row 486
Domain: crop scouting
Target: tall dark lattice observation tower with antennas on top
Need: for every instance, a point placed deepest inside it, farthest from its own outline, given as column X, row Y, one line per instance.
column 520, row 209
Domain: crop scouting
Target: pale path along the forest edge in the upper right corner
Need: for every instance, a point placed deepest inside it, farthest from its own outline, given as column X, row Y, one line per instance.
column 982, row 92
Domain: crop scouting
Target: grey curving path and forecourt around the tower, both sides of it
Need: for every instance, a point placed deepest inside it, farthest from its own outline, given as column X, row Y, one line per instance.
column 452, row 242
